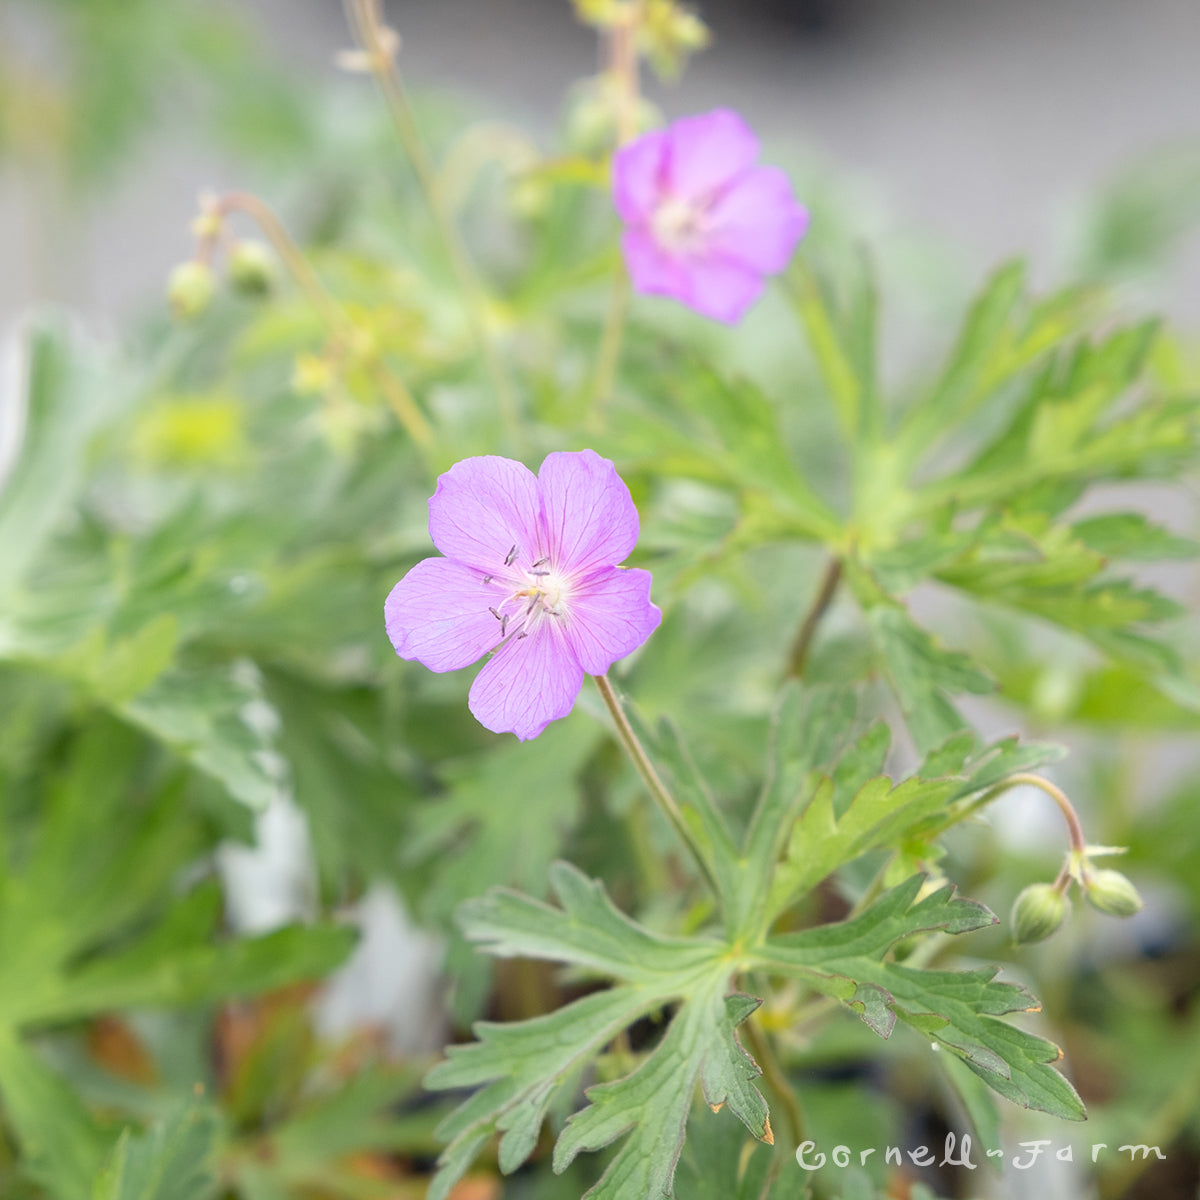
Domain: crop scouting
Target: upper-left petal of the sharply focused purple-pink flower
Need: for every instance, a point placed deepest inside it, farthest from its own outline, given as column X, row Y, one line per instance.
column 482, row 509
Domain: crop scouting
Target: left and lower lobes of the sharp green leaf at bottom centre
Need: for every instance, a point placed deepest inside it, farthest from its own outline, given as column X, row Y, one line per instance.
column 526, row 1064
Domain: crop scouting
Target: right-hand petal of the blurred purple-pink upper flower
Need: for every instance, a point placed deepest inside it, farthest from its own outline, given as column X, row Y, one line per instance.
column 758, row 221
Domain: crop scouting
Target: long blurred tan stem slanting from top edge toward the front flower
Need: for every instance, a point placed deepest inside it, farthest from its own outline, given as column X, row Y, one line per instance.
column 367, row 21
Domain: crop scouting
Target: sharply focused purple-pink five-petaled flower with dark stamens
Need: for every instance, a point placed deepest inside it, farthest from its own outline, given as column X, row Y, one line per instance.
column 530, row 574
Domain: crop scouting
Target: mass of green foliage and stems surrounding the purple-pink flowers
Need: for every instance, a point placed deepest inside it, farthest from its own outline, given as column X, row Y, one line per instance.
column 199, row 533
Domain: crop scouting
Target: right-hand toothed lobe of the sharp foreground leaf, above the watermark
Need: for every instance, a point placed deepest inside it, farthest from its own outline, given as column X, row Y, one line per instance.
column 958, row 1010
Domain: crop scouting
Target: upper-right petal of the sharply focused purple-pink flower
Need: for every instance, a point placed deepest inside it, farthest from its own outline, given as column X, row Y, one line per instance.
column 589, row 518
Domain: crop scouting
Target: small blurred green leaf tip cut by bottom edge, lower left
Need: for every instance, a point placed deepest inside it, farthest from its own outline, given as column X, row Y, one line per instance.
column 175, row 1160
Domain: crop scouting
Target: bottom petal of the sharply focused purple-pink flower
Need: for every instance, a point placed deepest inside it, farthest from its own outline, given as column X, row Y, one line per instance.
column 529, row 683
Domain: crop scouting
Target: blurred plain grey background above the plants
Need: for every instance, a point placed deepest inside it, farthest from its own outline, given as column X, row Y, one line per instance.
column 988, row 123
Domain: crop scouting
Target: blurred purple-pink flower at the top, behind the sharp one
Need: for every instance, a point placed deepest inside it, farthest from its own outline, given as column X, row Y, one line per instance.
column 703, row 223
